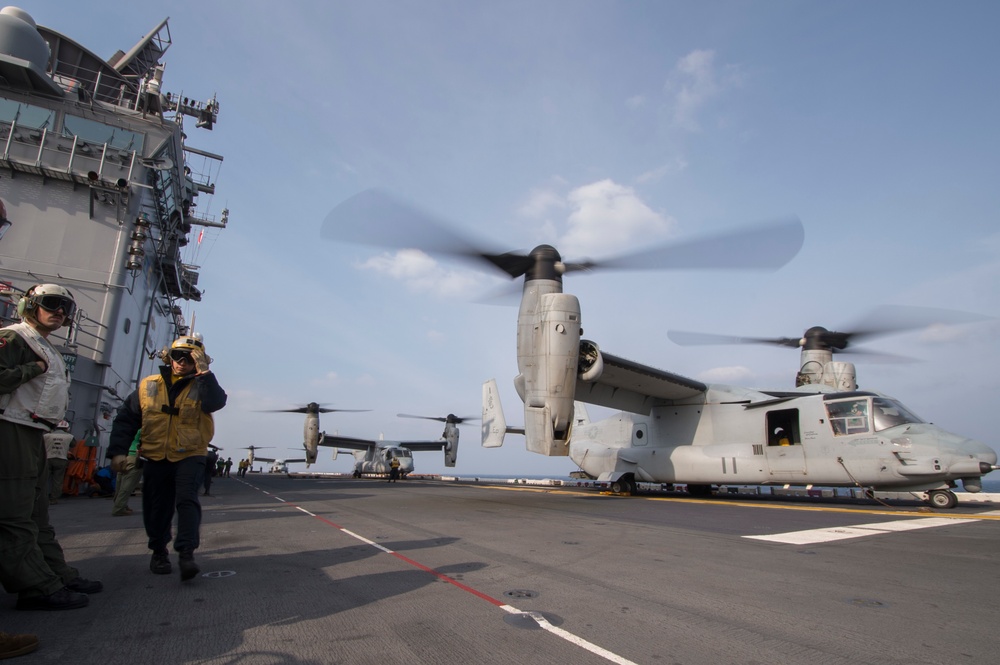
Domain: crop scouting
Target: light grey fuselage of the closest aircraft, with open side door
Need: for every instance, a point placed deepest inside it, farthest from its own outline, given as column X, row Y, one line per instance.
column 833, row 439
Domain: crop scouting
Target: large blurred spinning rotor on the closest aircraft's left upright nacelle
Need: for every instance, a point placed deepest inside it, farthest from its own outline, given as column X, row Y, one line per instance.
column 375, row 218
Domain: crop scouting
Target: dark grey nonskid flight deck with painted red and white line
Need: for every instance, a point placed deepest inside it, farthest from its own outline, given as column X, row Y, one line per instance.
column 360, row 571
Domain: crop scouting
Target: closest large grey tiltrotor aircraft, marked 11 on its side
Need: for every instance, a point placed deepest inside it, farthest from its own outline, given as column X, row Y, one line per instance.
column 672, row 429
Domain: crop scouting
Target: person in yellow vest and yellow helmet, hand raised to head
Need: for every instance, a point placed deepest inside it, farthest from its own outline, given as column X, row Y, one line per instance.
column 174, row 410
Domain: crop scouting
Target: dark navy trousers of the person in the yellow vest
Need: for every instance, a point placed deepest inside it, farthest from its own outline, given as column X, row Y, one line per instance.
column 167, row 486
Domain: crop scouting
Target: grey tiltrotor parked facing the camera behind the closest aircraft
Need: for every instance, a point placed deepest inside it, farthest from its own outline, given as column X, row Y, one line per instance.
column 375, row 457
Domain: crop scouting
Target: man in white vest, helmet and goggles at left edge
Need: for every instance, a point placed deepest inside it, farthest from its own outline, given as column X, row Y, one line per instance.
column 34, row 394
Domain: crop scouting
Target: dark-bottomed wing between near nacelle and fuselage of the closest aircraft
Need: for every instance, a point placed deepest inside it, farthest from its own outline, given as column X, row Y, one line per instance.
column 628, row 386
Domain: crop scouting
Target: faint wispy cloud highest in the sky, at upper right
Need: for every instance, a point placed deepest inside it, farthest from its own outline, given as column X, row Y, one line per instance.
column 694, row 82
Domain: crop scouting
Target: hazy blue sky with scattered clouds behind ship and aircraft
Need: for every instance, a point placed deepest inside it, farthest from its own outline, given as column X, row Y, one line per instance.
column 597, row 126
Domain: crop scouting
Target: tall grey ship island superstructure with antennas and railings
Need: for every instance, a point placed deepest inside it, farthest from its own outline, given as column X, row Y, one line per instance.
column 98, row 194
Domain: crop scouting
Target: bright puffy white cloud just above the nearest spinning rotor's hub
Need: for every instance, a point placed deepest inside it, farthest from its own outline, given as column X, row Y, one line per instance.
column 606, row 217
